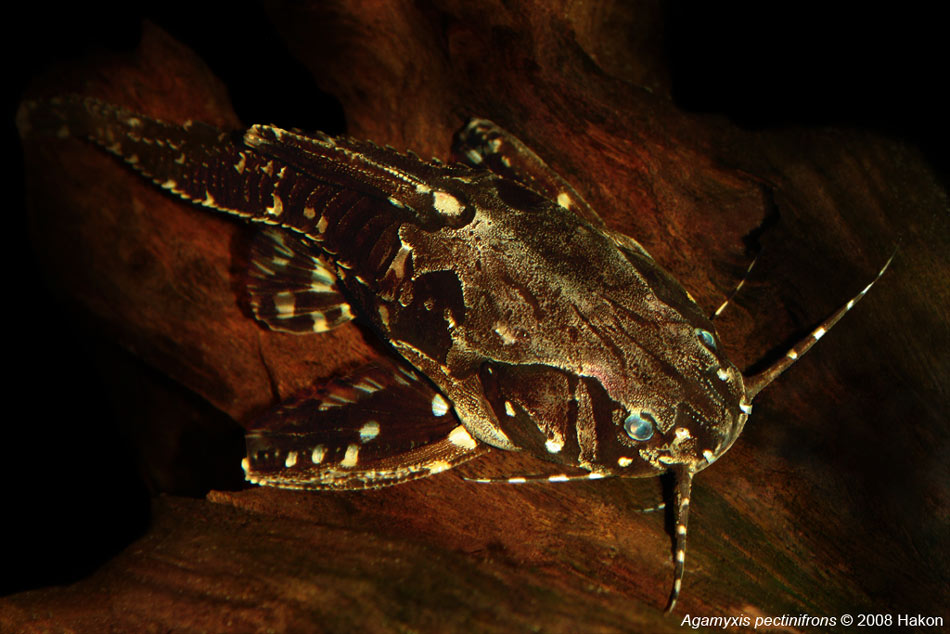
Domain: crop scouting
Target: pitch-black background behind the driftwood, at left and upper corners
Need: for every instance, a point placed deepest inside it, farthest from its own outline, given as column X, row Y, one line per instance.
column 71, row 475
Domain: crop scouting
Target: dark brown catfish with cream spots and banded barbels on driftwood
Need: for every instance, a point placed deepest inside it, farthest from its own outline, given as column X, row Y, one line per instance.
column 521, row 321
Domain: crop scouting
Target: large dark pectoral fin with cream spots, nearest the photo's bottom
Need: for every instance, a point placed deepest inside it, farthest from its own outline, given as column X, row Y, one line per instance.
column 380, row 426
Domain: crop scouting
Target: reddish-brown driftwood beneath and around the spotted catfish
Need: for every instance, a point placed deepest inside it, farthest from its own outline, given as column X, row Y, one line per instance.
column 834, row 500
